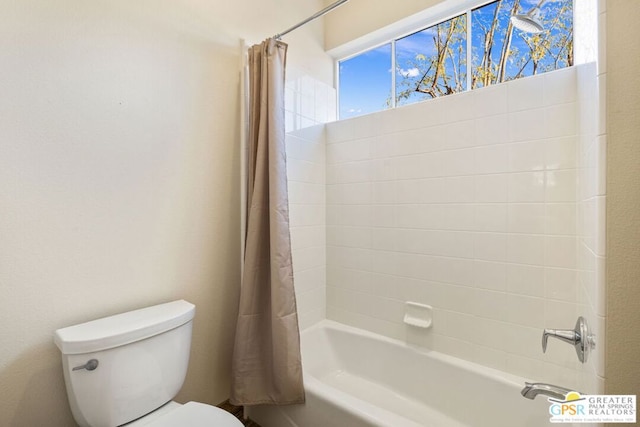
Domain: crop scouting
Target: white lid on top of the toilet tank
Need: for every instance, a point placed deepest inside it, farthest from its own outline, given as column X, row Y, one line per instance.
column 125, row 328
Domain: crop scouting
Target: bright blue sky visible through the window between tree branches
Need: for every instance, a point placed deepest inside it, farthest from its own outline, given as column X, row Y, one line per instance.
column 365, row 80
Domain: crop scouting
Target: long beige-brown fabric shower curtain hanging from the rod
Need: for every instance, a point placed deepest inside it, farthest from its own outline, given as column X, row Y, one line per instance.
column 266, row 366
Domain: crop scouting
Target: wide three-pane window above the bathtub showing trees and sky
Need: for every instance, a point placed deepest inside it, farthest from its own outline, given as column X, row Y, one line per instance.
column 494, row 43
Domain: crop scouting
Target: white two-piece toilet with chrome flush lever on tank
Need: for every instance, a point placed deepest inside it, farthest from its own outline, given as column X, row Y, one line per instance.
column 127, row 368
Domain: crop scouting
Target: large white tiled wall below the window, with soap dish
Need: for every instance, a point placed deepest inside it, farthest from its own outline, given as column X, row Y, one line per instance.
column 466, row 203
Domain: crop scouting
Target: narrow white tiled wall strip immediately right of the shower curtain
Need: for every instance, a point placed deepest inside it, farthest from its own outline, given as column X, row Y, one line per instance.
column 309, row 103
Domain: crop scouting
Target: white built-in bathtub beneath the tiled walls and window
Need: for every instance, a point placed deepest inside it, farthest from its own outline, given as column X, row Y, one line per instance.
column 354, row 378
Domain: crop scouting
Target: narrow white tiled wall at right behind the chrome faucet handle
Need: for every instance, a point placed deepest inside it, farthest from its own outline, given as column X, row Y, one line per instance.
column 592, row 157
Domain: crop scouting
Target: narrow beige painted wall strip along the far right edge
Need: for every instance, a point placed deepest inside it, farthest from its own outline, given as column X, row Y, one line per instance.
column 623, row 198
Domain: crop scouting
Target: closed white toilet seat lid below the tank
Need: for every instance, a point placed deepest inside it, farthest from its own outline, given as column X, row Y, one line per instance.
column 192, row 414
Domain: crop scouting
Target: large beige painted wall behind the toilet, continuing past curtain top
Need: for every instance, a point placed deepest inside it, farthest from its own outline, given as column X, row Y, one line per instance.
column 119, row 175
